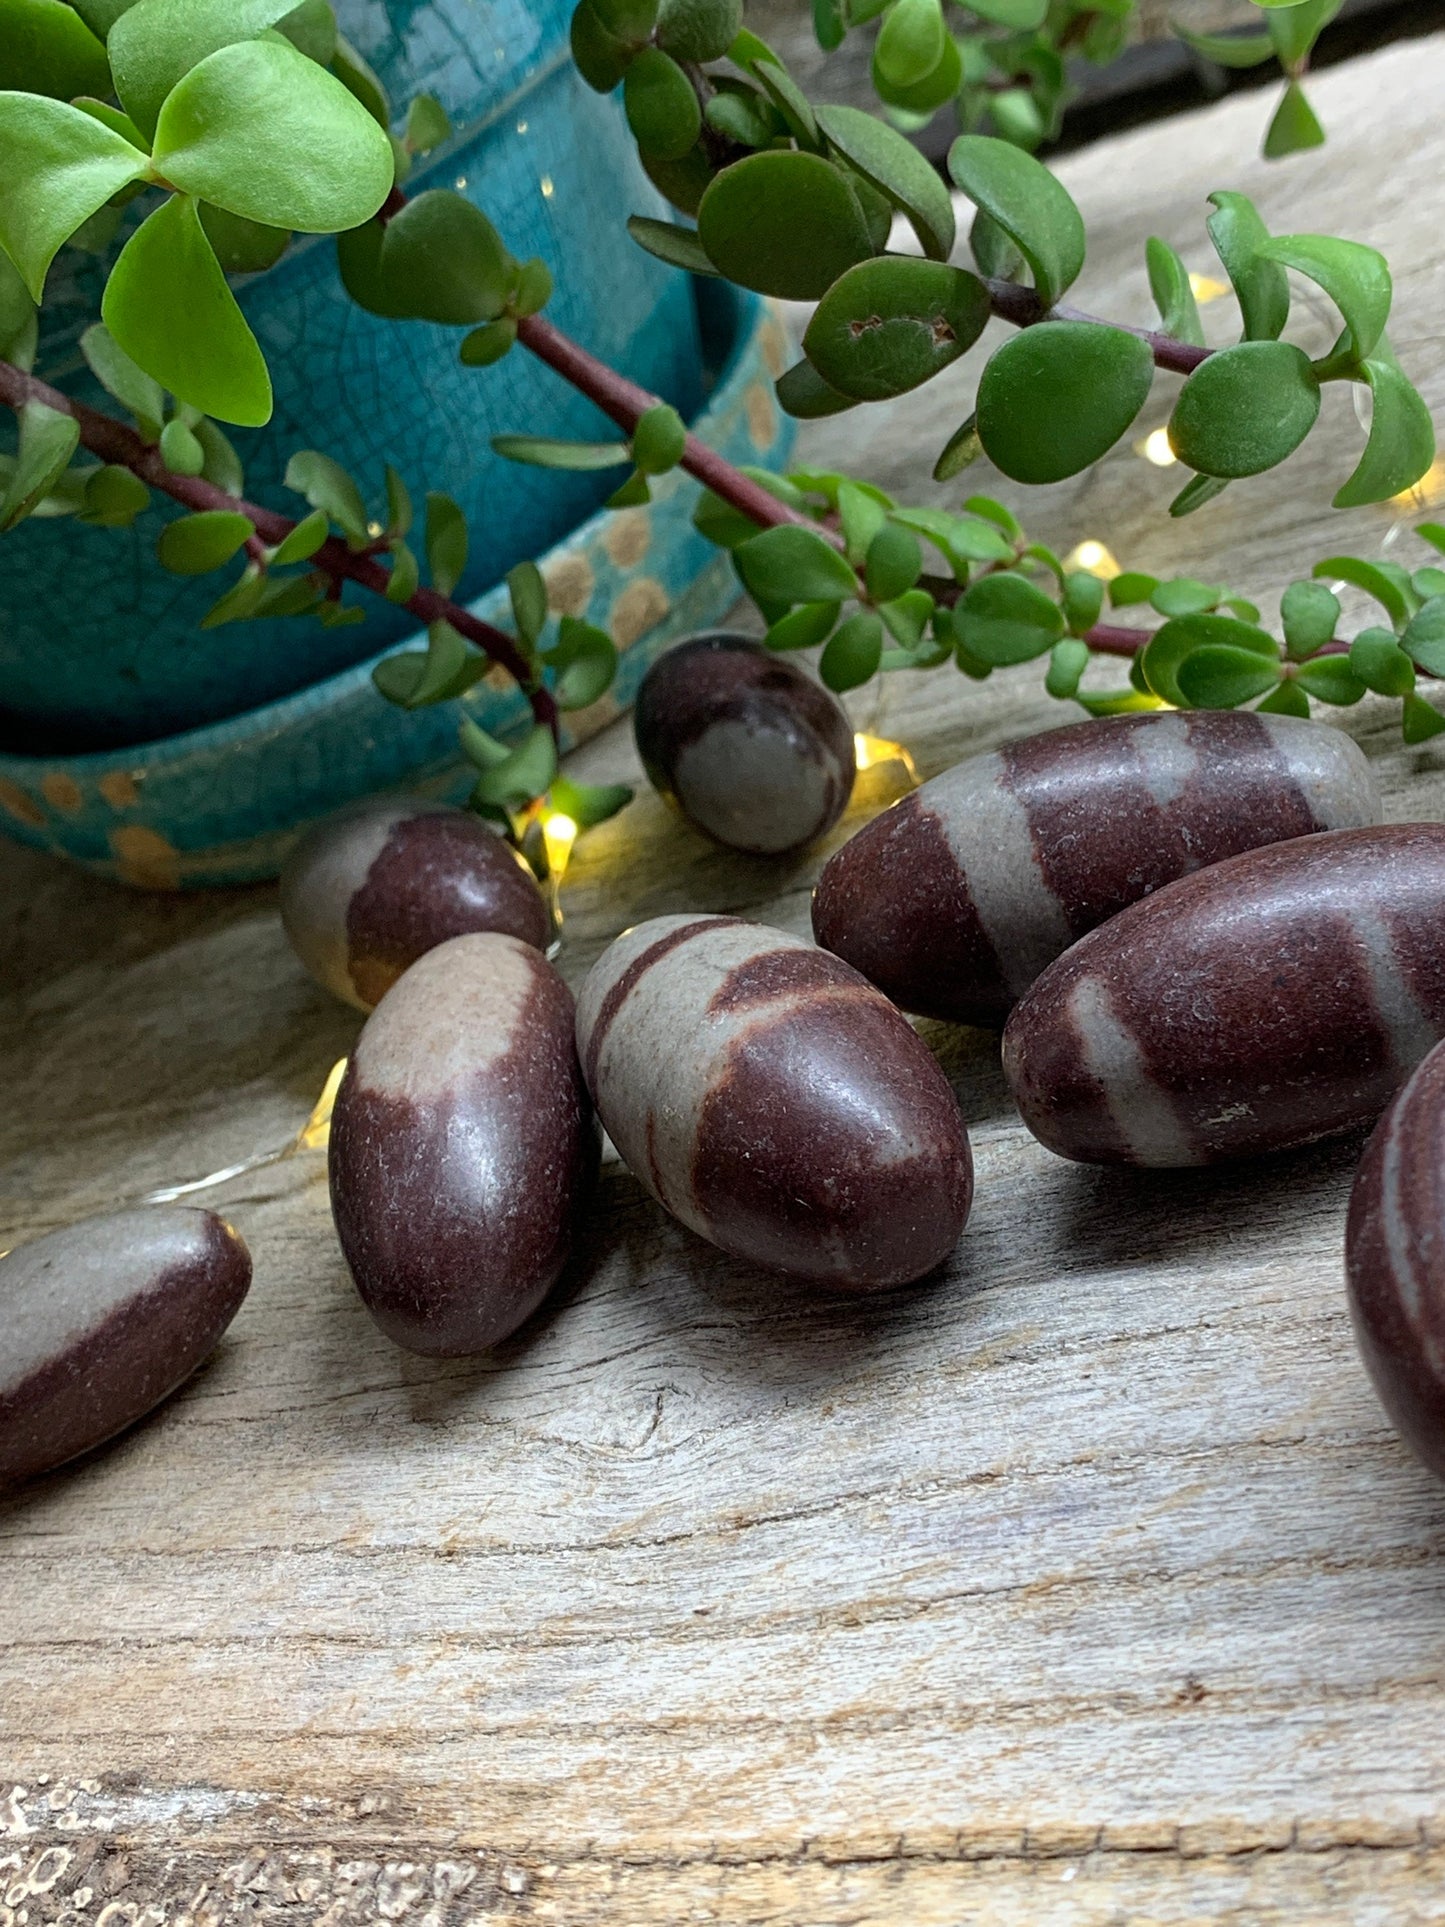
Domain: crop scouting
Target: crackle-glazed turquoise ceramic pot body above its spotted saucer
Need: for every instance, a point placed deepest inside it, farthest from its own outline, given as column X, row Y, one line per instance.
column 101, row 647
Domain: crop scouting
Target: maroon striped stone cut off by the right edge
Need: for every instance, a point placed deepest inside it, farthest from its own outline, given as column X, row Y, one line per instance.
column 1396, row 1261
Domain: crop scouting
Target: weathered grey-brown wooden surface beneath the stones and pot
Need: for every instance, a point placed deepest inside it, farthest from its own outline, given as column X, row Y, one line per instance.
column 1084, row 1587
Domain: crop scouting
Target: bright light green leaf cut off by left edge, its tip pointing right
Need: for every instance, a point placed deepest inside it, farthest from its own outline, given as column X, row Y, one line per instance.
column 57, row 167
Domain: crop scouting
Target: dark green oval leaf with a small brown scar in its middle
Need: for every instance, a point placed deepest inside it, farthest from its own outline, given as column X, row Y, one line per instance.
column 895, row 323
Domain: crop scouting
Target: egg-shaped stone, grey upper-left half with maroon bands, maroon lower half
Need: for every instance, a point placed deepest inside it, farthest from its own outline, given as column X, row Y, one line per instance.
column 775, row 1103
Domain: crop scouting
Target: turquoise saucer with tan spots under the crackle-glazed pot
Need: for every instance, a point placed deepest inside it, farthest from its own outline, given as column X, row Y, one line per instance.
column 223, row 805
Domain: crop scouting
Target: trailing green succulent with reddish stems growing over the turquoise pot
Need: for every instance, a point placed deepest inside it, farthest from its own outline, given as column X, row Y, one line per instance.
column 192, row 109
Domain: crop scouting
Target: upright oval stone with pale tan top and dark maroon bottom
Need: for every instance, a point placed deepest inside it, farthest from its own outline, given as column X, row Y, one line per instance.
column 463, row 1146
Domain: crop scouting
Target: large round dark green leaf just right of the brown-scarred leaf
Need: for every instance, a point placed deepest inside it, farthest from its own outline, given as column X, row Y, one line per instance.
column 1059, row 396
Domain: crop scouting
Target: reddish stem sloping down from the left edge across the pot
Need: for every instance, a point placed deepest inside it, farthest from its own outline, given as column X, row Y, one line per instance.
column 122, row 448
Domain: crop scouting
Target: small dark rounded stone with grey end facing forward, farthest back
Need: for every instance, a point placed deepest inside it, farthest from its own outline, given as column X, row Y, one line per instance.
column 745, row 743
